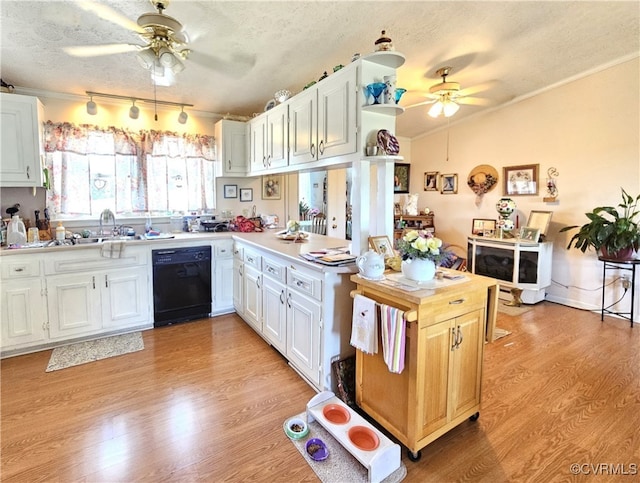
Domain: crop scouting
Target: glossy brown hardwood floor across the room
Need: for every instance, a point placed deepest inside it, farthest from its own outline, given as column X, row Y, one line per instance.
column 205, row 401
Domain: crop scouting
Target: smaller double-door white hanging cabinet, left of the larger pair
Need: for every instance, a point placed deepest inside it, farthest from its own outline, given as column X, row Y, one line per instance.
column 269, row 140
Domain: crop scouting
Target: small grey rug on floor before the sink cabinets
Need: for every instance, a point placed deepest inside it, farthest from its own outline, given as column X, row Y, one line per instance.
column 94, row 350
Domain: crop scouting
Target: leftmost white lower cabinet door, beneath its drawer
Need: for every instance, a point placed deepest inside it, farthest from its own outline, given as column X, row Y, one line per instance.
column 24, row 312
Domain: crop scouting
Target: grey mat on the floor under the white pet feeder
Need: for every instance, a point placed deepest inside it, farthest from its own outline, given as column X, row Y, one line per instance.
column 340, row 466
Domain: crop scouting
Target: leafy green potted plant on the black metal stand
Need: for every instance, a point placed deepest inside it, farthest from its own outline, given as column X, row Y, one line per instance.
column 614, row 231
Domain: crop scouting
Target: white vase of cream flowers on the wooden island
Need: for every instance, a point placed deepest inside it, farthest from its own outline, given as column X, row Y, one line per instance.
column 420, row 252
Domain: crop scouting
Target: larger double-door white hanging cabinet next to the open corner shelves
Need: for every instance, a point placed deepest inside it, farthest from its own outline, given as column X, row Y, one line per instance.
column 323, row 119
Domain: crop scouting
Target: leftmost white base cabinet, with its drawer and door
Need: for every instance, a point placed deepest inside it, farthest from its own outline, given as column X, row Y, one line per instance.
column 24, row 304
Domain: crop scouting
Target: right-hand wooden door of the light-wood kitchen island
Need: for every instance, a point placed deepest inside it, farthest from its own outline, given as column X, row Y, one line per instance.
column 467, row 363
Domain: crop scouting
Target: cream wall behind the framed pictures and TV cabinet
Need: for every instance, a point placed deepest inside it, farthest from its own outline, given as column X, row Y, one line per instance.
column 587, row 129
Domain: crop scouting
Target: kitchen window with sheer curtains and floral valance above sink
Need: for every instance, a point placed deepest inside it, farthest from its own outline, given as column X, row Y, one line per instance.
column 92, row 169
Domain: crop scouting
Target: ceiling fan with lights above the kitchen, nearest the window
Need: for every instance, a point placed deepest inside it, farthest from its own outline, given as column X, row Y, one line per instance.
column 165, row 42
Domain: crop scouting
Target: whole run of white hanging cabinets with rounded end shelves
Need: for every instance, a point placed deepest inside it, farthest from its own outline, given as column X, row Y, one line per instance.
column 326, row 124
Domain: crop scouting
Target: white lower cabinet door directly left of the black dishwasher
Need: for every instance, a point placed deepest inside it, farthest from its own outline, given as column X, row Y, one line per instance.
column 125, row 297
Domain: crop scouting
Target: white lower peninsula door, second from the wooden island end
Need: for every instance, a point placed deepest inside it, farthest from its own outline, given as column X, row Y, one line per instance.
column 274, row 313
